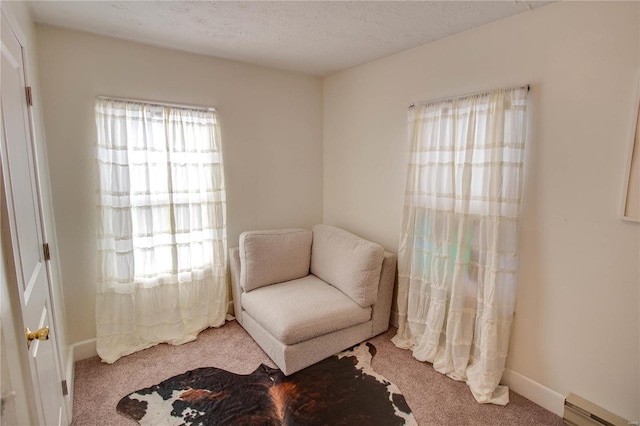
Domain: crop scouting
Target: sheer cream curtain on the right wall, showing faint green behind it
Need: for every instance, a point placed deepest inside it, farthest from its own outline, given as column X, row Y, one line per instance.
column 458, row 251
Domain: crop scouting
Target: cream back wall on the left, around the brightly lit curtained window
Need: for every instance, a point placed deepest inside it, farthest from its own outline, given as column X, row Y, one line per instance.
column 271, row 125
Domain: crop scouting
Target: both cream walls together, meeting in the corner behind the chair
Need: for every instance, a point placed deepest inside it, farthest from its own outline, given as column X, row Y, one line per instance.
column 577, row 324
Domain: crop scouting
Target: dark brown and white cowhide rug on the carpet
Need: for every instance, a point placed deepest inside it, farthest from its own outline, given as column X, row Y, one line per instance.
column 341, row 390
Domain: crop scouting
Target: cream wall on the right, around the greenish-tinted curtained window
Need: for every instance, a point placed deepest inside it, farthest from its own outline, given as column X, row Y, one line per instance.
column 576, row 326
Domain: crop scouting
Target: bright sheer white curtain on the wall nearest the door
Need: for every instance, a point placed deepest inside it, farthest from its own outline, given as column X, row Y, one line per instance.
column 161, row 235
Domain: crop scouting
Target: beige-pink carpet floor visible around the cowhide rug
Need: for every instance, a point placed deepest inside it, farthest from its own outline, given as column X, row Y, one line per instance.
column 433, row 398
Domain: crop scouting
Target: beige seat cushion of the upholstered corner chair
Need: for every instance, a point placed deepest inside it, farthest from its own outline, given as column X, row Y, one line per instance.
column 301, row 309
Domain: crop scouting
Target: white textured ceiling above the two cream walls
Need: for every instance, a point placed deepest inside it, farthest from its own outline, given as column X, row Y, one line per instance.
column 312, row 37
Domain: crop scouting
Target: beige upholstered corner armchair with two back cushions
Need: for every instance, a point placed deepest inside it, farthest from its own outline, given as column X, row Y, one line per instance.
column 306, row 295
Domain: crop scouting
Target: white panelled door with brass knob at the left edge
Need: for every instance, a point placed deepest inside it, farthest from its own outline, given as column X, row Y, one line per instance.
column 25, row 223
